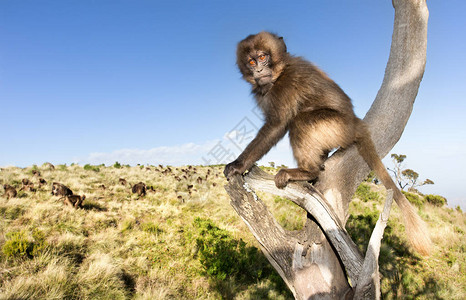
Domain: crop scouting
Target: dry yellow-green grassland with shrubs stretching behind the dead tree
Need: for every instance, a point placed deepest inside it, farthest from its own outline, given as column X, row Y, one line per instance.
column 184, row 241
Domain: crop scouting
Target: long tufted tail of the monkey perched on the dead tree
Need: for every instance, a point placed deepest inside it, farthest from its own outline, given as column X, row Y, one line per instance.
column 416, row 229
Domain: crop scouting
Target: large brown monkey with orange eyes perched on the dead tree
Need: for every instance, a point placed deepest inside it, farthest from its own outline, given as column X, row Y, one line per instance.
column 297, row 97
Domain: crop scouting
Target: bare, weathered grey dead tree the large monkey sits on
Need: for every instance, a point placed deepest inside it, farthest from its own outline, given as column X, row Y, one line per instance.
column 321, row 261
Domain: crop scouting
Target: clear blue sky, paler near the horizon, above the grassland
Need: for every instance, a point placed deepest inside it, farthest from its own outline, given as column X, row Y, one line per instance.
column 156, row 82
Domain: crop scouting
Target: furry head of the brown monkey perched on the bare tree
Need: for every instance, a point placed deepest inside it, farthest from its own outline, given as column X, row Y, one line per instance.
column 261, row 58
